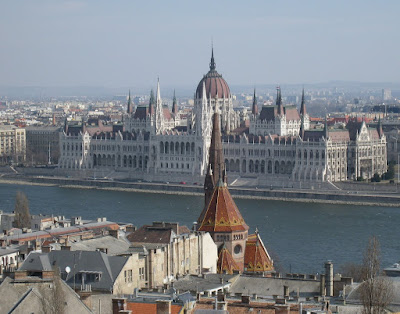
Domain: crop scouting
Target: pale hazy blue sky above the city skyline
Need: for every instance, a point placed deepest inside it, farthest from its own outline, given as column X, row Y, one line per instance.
column 131, row 43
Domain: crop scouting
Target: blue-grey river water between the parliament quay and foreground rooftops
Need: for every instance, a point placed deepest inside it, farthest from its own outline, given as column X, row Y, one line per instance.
column 302, row 236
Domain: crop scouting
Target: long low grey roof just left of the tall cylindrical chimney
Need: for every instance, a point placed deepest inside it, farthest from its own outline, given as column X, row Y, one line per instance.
column 267, row 286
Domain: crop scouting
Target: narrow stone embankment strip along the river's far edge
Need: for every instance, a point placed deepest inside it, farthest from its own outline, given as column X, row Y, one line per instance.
column 307, row 196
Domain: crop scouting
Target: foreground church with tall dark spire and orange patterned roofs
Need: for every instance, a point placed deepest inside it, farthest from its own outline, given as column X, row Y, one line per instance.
column 237, row 251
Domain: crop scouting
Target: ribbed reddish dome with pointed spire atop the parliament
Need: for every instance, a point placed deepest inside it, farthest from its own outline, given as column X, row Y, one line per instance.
column 216, row 86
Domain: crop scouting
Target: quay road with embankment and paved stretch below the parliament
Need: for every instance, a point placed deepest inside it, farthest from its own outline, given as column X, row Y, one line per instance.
column 349, row 193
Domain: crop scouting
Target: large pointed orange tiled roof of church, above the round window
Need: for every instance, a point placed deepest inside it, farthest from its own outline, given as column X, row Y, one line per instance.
column 222, row 214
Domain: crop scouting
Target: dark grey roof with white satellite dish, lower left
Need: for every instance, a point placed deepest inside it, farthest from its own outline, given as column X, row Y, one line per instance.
column 109, row 267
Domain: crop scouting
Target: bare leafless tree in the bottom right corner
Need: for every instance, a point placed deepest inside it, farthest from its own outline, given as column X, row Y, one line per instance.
column 376, row 291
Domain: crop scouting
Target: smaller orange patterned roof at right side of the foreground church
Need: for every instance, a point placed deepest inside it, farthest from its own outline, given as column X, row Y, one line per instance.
column 256, row 257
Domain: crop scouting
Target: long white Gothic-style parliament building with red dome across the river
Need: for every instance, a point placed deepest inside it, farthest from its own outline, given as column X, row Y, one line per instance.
column 278, row 144
